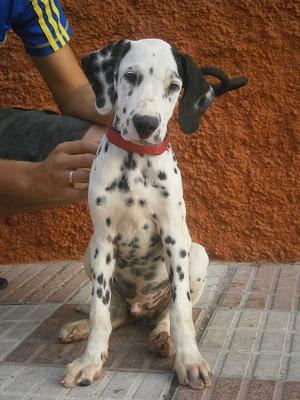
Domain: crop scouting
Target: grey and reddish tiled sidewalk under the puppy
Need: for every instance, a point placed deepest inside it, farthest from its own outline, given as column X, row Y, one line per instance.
column 247, row 322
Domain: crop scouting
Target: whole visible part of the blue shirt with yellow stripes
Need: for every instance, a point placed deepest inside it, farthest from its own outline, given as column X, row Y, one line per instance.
column 41, row 24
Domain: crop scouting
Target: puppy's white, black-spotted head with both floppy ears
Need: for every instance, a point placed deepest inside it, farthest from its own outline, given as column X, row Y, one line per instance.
column 143, row 80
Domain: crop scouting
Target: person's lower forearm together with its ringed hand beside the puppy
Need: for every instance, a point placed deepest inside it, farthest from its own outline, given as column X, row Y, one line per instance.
column 27, row 186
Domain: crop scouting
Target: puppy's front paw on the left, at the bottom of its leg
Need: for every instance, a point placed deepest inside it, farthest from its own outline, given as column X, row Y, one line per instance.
column 83, row 371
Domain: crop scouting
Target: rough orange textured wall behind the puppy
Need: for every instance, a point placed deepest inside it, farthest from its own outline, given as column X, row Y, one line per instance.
column 239, row 170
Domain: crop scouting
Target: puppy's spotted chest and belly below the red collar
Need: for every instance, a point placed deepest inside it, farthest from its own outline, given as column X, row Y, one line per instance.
column 128, row 195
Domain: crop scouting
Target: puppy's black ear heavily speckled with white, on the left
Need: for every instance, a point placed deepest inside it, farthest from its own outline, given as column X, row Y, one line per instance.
column 101, row 69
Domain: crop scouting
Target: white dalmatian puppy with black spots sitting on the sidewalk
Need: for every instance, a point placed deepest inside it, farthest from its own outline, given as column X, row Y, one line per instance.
column 141, row 260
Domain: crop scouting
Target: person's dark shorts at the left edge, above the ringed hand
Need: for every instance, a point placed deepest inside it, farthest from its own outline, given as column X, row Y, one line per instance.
column 30, row 135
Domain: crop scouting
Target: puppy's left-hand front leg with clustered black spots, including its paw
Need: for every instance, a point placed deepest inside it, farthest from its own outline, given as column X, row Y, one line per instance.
column 85, row 369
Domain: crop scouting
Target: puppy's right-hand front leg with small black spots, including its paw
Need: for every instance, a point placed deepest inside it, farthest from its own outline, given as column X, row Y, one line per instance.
column 191, row 367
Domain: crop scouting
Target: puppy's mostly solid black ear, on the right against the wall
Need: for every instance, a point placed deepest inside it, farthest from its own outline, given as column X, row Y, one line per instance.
column 198, row 93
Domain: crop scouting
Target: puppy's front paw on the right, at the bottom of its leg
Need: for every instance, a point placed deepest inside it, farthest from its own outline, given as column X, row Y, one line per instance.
column 193, row 371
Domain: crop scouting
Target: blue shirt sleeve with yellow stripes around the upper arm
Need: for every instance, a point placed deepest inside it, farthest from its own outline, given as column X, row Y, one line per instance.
column 43, row 27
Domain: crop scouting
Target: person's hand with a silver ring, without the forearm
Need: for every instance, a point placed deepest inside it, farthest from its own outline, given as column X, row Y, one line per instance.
column 51, row 180
